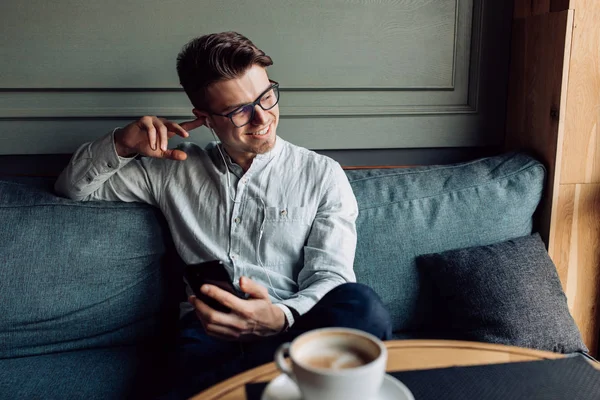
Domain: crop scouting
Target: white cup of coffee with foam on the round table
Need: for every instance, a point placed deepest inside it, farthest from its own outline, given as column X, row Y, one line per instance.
column 334, row 364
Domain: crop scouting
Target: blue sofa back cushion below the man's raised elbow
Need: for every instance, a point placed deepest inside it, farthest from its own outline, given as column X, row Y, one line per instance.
column 78, row 275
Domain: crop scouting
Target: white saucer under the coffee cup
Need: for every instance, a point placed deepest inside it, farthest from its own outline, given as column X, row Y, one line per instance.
column 283, row 388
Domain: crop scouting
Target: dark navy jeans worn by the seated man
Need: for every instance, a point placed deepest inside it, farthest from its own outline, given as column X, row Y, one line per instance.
column 201, row 361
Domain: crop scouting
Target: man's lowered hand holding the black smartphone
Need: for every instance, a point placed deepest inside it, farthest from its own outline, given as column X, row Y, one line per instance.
column 256, row 316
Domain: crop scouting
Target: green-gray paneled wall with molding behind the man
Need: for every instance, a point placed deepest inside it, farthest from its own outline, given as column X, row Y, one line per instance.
column 355, row 74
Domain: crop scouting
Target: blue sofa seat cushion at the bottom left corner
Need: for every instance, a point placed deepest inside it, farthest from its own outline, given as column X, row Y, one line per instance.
column 121, row 372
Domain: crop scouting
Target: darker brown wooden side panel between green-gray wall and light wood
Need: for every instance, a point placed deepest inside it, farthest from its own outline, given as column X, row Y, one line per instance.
column 538, row 75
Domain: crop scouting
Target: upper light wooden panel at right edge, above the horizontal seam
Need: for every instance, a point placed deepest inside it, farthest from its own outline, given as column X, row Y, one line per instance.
column 581, row 148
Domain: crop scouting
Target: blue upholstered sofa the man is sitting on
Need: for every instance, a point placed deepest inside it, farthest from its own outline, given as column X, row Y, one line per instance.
column 89, row 291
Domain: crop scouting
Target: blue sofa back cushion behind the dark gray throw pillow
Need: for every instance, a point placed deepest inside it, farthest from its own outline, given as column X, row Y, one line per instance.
column 407, row 212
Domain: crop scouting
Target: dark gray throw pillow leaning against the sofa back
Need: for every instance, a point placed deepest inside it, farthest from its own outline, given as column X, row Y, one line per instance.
column 507, row 293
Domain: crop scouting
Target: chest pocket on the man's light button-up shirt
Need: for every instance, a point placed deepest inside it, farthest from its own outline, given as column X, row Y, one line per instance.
column 285, row 231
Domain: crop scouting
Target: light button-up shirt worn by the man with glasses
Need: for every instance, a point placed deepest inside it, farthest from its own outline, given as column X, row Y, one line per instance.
column 288, row 222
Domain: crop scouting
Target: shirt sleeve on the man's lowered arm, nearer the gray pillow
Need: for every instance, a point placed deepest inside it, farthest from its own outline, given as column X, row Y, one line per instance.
column 331, row 244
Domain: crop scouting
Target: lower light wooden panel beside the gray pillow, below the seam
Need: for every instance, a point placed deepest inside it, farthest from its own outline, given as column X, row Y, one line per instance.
column 577, row 255
